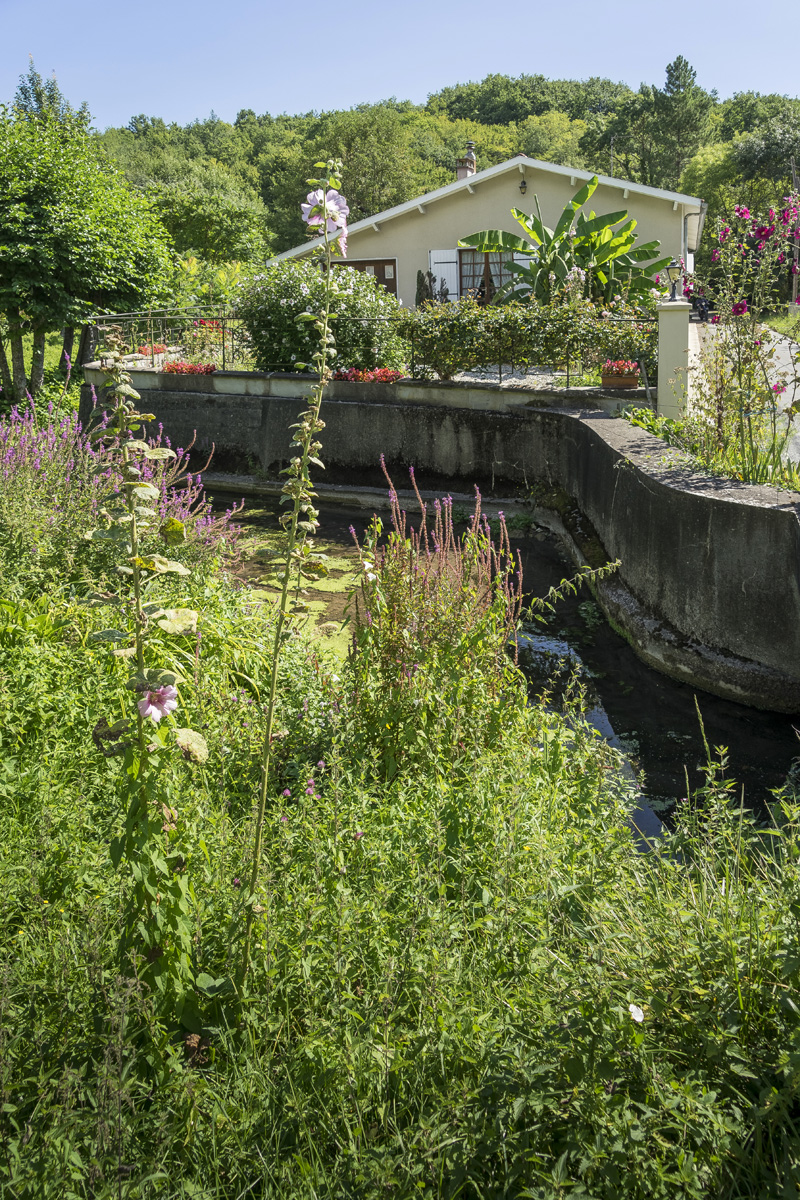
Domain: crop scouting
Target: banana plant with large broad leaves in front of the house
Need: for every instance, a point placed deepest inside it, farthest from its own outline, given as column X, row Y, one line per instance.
column 607, row 256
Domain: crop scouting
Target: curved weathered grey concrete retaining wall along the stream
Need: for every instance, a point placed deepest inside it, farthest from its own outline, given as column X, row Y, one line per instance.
column 709, row 584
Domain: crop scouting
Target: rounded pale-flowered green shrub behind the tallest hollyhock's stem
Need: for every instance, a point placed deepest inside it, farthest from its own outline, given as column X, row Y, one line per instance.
column 270, row 305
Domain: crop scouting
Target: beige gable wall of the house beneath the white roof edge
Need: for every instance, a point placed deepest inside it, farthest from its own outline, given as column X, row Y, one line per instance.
column 442, row 224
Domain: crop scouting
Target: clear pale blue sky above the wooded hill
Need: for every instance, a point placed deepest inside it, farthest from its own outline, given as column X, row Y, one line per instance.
column 182, row 61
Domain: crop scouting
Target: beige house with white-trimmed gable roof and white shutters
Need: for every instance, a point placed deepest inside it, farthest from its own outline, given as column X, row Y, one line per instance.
column 424, row 235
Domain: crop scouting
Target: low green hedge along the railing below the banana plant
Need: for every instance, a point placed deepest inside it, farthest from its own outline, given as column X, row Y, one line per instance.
column 466, row 335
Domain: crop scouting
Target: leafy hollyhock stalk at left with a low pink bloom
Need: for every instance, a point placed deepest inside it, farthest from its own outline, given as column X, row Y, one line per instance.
column 157, row 940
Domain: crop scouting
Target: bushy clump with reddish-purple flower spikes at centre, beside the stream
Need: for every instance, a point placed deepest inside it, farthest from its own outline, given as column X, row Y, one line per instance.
column 434, row 623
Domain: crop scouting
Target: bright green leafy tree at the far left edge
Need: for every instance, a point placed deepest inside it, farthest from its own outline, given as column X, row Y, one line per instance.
column 73, row 236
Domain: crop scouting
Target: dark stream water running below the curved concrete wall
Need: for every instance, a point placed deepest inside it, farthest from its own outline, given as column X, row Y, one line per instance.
column 654, row 718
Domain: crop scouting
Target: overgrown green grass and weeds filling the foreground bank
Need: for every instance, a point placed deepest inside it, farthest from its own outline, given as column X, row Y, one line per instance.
column 465, row 981
